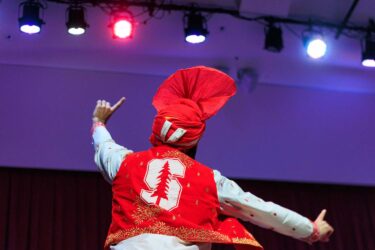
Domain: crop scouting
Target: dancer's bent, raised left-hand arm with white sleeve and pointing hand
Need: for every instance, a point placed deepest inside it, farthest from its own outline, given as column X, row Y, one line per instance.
column 108, row 154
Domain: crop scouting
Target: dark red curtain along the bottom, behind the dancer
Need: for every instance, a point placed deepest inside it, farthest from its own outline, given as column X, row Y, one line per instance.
column 45, row 209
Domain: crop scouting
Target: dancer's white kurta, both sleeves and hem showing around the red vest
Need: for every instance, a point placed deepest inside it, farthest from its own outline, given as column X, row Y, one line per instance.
column 233, row 201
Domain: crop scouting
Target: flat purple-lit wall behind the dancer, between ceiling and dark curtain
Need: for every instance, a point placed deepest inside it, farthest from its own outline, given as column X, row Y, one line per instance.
column 277, row 133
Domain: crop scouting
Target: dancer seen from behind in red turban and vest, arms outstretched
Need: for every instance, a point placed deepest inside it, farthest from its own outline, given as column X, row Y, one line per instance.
column 163, row 198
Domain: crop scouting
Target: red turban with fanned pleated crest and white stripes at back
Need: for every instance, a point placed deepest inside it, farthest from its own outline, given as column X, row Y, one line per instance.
column 185, row 101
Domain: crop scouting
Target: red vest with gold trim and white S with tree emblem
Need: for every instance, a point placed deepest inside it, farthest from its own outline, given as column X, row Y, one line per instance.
column 163, row 191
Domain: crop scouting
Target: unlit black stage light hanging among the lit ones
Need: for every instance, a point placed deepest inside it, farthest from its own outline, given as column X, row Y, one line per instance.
column 274, row 38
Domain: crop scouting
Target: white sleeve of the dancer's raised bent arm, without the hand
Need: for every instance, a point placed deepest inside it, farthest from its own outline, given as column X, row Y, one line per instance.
column 108, row 154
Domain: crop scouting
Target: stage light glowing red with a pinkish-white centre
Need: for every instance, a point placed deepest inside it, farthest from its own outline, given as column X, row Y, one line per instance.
column 123, row 25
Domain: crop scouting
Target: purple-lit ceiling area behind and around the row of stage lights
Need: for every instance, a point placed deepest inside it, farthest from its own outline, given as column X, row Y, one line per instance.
column 159, row 48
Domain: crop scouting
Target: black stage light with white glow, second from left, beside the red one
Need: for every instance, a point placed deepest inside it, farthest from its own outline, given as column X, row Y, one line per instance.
column 76, row 22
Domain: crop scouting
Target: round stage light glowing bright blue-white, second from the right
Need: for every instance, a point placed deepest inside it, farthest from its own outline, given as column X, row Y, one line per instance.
column 315, row 45
